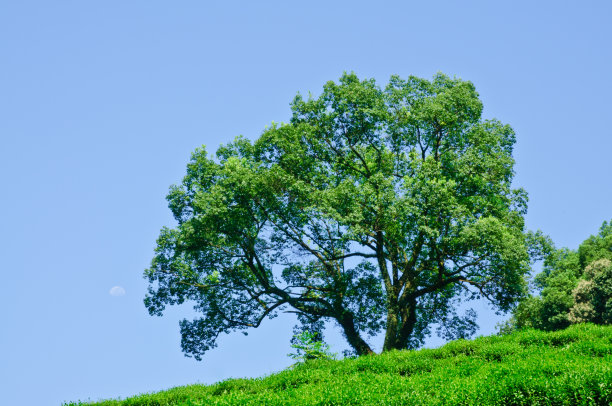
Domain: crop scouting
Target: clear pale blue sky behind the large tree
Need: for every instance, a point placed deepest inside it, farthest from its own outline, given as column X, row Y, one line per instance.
column 102, row 102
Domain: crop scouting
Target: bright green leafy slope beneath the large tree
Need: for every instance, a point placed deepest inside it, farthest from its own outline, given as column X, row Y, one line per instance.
column 569, row 367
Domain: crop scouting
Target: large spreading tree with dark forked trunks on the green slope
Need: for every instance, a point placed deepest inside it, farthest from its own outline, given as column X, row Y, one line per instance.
column 376, row 209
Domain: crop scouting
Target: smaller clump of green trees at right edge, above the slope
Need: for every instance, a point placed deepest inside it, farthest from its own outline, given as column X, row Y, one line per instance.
column 575, row 286
